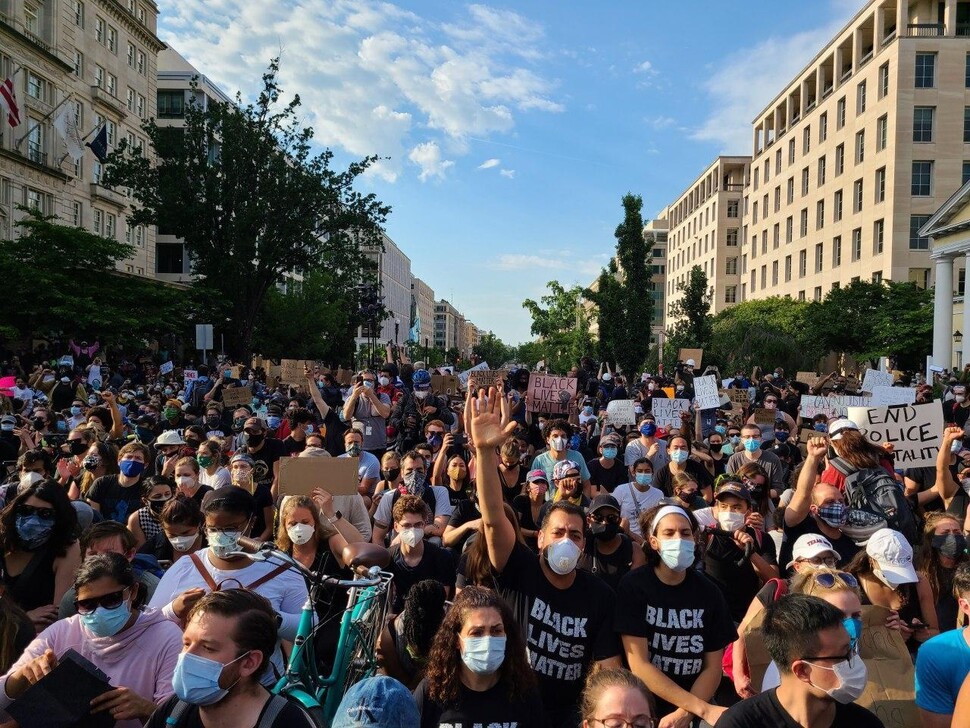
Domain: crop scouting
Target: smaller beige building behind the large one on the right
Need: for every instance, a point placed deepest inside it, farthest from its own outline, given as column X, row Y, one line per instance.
column 705, row 229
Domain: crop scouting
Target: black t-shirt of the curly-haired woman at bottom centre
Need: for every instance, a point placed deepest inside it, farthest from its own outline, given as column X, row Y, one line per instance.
column 490, row 707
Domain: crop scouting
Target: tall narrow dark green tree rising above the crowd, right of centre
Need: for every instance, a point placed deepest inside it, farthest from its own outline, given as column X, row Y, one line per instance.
column 623, row 308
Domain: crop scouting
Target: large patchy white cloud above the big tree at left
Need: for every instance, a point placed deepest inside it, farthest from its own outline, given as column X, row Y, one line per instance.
column 372, row 75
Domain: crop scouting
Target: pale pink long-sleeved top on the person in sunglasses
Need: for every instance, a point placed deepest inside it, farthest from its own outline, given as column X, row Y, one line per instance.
column 141, row 658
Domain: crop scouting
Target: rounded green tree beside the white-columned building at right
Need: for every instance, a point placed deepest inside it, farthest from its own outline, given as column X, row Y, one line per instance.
column 869, row 320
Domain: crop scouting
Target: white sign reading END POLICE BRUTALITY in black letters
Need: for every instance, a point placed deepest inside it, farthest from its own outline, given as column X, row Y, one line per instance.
column 915, row 430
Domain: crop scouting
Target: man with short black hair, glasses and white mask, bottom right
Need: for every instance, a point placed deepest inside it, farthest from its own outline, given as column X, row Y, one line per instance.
column 821, row 673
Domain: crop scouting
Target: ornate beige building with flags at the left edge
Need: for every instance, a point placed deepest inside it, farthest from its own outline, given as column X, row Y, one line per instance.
column 97, row 57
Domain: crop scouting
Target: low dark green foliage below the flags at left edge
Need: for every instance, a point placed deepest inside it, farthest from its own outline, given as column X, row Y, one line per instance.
column 64, row 280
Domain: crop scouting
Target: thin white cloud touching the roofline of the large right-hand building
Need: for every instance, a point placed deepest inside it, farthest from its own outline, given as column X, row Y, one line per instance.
column 748, row 79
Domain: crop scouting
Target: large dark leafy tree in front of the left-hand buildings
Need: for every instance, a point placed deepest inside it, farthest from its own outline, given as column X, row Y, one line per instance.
column 242, row 187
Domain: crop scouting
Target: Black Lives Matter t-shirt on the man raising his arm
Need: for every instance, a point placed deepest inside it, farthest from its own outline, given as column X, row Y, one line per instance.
column 566, row 629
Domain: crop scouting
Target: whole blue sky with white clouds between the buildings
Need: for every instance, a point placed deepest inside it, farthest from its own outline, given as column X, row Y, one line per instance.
column 514, row 129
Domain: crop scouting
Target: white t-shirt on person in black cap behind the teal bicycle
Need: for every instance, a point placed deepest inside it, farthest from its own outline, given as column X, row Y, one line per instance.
column 286, row 592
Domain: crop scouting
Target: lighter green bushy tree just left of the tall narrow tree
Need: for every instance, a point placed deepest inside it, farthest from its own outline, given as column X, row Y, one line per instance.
column 562, row 325
